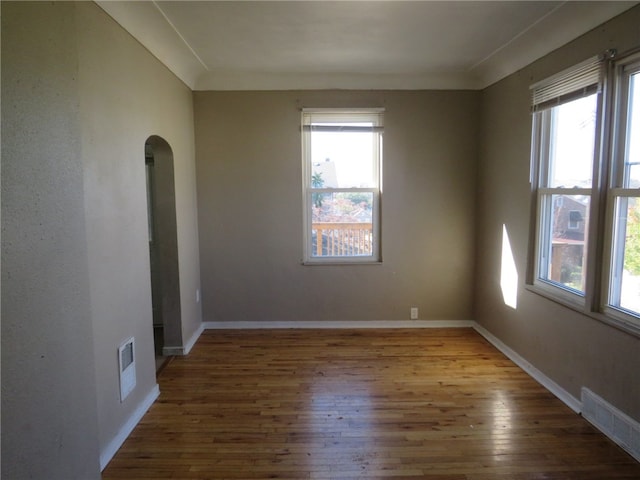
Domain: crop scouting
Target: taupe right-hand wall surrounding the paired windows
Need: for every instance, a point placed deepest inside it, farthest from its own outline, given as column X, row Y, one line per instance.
column 572, row 349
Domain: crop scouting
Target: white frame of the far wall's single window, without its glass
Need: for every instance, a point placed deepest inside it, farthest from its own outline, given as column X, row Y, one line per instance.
column 335, row 115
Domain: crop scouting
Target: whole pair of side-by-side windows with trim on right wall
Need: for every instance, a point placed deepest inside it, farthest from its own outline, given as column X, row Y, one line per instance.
column 586, row 189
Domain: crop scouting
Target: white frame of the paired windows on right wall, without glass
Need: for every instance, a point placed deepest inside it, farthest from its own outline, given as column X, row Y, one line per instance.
column 603, row 260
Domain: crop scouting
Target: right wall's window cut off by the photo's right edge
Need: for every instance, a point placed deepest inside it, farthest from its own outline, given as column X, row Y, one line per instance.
column 624, row 277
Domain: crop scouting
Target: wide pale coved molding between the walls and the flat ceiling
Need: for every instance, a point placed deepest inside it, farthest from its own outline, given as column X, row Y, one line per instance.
column 146, row 22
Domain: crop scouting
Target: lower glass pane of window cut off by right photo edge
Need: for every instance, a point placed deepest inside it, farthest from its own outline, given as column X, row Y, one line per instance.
column 625, row 278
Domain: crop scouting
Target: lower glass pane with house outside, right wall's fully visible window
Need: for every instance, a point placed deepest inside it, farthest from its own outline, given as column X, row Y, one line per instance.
column 564, row 222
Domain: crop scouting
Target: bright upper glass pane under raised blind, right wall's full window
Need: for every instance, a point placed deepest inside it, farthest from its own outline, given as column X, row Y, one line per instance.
column 571, row 143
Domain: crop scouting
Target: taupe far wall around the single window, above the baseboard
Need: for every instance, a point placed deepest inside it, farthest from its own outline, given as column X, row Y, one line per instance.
column 250, row 209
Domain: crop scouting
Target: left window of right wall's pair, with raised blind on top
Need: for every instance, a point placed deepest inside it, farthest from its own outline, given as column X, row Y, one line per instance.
column 565, row 151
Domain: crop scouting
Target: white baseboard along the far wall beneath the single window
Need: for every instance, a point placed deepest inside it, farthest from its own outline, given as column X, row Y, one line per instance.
column 341, row 324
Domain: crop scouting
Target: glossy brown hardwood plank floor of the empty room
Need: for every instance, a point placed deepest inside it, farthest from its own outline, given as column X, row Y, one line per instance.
column 340, row 404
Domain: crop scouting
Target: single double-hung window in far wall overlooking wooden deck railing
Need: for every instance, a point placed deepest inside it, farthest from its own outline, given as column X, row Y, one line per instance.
column 342, row 160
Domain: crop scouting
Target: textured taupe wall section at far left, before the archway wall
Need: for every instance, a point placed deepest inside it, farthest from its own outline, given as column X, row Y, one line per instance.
column 49, row 410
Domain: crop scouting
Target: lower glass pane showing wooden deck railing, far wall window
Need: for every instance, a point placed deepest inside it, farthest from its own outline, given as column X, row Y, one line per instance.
column 342, row 224
